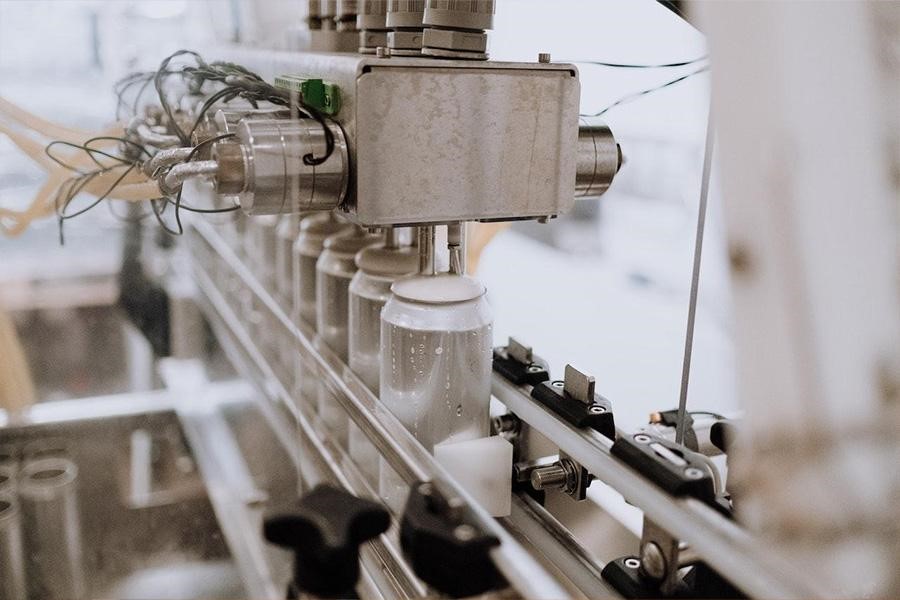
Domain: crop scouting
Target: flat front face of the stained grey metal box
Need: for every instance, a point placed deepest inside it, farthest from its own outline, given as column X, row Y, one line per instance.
column 447, row 144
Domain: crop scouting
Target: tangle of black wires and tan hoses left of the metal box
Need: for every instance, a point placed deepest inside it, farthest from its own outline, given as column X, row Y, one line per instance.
column 110, row 164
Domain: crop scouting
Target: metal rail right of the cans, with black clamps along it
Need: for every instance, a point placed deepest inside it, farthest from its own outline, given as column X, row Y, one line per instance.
column 725, row 546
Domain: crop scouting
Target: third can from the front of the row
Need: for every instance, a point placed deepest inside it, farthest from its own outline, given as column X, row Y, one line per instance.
column 334, row 271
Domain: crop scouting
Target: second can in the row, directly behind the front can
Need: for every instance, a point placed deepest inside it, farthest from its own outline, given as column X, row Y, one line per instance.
column 378, row 268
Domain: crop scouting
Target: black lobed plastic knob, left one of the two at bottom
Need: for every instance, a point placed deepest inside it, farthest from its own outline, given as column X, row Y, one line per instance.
column 324, row 530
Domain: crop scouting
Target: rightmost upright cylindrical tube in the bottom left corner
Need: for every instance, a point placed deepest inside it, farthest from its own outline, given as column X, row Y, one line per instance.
column 47, row 491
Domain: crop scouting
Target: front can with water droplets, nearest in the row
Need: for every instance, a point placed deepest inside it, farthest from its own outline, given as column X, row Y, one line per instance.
column 436, row 348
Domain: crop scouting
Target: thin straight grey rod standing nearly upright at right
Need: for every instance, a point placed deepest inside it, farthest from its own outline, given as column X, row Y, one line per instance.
column 695, row 279
